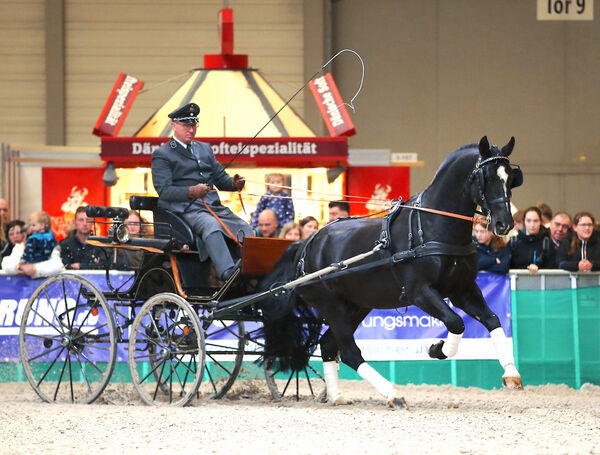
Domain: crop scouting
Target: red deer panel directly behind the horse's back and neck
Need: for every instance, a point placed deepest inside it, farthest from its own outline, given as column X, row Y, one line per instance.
column 379, row 184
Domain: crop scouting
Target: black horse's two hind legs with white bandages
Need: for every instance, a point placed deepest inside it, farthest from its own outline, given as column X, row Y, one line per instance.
column 342, row 324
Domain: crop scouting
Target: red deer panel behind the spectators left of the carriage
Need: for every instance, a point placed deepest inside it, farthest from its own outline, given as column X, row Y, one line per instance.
column 65, row 189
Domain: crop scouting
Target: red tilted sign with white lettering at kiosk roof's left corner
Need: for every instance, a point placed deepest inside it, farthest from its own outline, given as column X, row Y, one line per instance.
column 117, row 106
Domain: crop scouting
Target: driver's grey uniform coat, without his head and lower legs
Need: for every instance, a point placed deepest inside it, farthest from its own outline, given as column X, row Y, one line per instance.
column 175, row 169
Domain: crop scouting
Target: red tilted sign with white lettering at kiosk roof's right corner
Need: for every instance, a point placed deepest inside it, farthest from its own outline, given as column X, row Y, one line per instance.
column 331, row 106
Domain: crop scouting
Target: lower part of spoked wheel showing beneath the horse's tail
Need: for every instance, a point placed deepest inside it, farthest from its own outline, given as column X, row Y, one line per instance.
column 302, row 385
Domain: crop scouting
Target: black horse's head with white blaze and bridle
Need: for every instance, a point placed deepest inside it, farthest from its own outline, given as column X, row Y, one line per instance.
column 491, row 182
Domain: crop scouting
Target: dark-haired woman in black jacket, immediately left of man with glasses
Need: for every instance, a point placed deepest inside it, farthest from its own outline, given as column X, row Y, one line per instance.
column 530, row 249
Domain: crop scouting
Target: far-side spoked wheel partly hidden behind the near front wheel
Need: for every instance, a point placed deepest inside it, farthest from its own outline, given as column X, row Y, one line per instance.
column 225, row 341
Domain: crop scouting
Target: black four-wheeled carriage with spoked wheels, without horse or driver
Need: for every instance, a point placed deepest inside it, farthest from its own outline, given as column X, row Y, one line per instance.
column 175, row 323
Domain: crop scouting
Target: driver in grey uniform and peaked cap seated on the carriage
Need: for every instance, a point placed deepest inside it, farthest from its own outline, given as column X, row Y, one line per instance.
column 185, row 173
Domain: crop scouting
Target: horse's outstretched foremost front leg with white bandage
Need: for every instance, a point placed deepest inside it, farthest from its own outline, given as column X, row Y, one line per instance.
column 475, row 306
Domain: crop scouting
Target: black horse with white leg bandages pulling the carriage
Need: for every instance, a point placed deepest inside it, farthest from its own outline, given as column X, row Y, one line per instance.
column 423, row 258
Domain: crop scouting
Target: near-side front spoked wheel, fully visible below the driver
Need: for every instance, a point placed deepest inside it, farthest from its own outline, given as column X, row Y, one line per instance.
column 169, row 372
